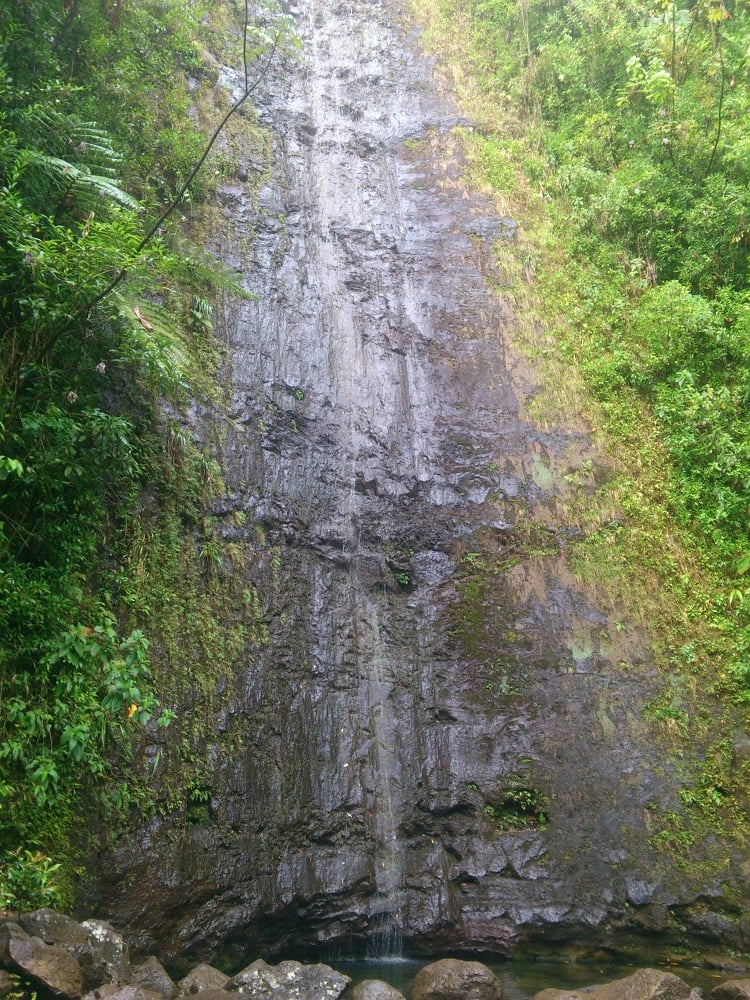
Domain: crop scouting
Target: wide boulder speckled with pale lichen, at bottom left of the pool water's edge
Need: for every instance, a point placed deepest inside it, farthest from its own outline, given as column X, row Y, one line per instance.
column 289, row 981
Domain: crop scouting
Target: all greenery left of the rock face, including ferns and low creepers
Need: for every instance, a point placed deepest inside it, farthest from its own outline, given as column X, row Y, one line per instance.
column 113, row 576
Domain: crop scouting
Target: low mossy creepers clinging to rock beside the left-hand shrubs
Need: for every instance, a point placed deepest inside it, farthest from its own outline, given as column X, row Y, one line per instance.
column 188, row 585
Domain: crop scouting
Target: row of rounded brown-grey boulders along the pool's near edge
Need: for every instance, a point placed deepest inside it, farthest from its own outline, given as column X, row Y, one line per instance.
column 53, row 957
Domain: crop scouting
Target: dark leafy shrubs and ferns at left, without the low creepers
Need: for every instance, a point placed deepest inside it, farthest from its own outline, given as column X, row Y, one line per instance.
column 98, row 322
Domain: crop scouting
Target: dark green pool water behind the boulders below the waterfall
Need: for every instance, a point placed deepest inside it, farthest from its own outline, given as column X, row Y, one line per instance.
column 522, row 979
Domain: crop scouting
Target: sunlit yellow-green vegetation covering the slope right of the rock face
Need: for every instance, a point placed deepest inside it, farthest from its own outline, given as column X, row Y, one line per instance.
column 613, row 134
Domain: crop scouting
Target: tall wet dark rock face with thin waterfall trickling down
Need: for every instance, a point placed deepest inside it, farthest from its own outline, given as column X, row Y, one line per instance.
column 441, row 745
